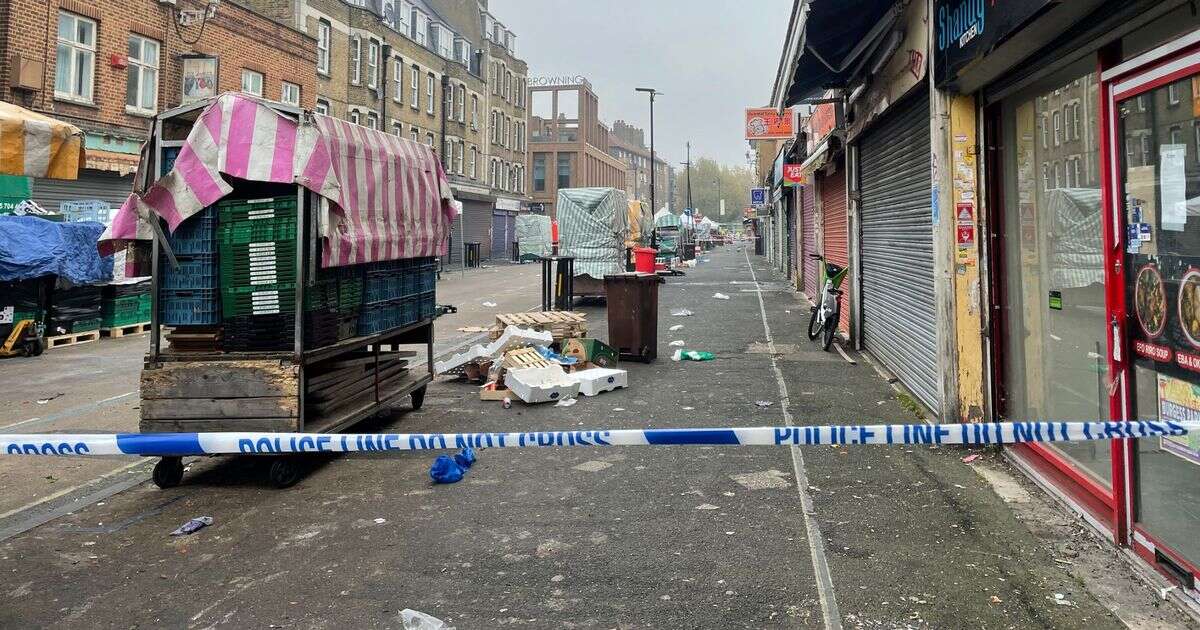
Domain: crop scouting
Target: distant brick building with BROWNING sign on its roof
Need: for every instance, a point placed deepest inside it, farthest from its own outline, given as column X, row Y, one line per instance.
column 569, row 145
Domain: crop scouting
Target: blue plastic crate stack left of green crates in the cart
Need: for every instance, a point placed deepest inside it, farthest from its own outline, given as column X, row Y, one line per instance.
column 189, row 296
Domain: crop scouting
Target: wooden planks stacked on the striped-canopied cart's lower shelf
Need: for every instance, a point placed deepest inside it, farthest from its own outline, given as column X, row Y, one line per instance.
column 352, row 379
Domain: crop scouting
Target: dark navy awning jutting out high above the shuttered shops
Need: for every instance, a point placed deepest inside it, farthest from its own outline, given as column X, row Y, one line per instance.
column 827, row 44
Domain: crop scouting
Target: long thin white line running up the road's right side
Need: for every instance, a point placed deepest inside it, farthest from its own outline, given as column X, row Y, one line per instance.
column 817, row 542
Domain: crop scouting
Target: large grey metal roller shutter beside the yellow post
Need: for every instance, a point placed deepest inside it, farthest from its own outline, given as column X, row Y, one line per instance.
column 899, row 314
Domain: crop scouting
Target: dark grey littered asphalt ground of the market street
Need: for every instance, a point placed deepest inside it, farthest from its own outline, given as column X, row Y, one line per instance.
column 671, row 537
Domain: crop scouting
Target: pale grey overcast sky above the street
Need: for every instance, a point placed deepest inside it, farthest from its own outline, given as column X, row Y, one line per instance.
column 710, row 58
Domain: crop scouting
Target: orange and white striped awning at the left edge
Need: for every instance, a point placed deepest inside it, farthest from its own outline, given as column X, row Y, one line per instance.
column 37, row 146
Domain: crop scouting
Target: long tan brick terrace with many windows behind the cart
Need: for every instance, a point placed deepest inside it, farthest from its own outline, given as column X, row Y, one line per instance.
column 419, row 70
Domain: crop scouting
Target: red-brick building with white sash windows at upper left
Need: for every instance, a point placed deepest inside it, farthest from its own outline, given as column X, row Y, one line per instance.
column 109, row 67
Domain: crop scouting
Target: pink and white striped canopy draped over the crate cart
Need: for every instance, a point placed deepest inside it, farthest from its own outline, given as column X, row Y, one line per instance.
column 383, row 197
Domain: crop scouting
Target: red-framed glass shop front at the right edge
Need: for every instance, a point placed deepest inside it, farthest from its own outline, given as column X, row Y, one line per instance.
column 1093, row 206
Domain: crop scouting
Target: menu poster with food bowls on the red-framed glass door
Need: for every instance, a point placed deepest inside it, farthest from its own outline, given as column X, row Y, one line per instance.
column 1165, row 297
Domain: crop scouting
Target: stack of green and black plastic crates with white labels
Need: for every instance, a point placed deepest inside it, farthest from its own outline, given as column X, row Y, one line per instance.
column 259, row 271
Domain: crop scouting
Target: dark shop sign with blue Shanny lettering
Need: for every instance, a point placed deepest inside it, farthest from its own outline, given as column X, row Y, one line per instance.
column 965, row 31
